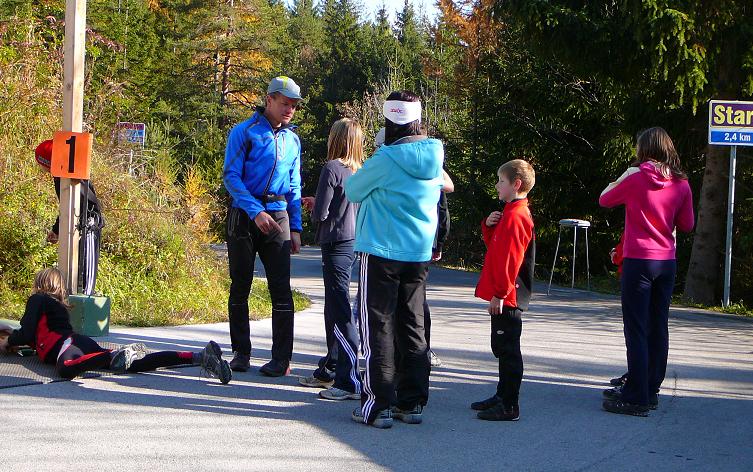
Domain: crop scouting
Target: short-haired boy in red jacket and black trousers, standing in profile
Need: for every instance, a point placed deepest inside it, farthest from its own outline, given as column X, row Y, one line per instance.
column 506, row 282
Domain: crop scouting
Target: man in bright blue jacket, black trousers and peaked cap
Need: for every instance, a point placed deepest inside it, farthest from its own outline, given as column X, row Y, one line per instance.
column 262, row 174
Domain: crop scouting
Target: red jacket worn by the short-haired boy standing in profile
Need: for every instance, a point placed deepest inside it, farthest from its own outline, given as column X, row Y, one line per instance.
column 509, row 261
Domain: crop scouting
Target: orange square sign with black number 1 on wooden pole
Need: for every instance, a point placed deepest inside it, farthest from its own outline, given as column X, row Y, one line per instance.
column 71, row 155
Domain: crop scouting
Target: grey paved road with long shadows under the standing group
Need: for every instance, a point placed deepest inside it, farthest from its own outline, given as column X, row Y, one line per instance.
column 572, row 342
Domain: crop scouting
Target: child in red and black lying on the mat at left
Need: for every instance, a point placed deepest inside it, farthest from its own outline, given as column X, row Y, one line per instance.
column 46, row 327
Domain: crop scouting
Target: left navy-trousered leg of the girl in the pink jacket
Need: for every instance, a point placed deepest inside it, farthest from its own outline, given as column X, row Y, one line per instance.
column 636, row 302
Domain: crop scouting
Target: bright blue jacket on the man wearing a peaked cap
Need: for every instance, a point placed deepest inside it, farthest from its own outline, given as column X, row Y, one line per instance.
column 262, row 169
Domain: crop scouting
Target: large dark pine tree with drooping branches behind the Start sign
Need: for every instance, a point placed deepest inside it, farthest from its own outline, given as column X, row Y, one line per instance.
column 661, row 64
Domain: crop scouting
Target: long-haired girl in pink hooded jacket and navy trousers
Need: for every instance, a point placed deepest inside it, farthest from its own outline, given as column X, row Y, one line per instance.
column 657, row 201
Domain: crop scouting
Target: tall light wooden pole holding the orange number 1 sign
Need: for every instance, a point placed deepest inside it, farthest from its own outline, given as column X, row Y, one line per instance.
column 73, row 111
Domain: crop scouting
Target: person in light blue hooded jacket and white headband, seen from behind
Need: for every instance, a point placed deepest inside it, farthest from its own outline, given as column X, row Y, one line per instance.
column 398, row 189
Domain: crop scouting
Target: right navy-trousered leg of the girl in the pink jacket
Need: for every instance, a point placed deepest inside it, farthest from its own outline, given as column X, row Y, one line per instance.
column 658, row 335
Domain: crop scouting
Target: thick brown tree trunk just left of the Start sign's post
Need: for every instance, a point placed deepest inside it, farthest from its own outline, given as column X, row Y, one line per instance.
column 705, row 270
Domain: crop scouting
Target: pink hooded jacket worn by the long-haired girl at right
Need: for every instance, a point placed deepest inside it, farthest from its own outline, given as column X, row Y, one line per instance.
column 654, row 206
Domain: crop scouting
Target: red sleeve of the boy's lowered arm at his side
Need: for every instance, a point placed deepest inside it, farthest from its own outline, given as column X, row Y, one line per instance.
column 513, row 235
